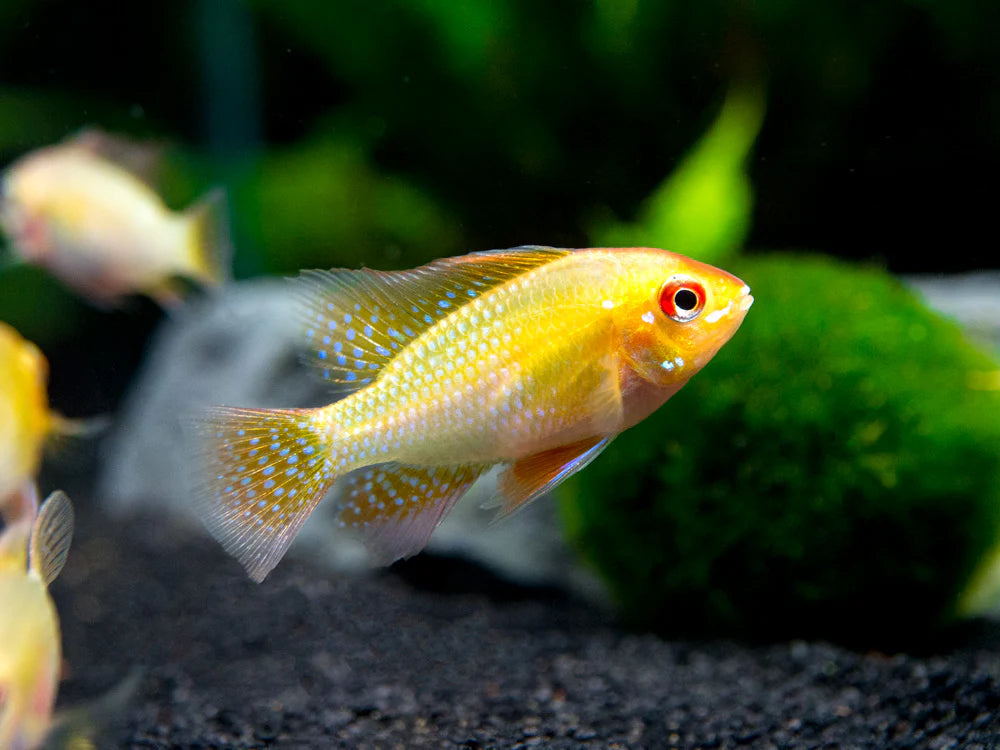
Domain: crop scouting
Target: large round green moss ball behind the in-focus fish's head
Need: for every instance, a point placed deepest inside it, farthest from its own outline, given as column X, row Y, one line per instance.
column 834, row 471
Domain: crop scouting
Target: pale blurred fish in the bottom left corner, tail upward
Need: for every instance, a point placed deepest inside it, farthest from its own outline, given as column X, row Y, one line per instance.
column 32, row 553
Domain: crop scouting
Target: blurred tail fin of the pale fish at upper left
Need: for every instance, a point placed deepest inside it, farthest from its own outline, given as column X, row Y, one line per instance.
column 209, row 255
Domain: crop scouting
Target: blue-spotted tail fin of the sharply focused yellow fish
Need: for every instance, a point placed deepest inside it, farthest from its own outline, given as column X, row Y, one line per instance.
column 265, row 471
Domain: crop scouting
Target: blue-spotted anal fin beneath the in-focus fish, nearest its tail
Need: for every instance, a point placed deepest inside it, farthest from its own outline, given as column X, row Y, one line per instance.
column 397, row 507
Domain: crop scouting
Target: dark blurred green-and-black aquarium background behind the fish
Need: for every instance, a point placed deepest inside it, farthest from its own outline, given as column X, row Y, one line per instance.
column 389, row 133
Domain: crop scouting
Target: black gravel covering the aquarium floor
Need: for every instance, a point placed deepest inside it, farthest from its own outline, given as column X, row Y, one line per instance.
column 314, row 660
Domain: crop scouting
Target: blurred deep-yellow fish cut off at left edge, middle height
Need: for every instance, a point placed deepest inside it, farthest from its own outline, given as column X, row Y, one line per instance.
column 24, row 413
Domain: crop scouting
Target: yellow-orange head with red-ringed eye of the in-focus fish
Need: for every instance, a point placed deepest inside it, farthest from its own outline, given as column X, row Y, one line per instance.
column 675, row 313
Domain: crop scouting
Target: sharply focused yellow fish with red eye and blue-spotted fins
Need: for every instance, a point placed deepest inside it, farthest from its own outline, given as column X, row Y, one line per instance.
column 533, row 359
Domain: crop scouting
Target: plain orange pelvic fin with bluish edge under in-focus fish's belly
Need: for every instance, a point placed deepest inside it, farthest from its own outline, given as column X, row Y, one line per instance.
column 534, row 475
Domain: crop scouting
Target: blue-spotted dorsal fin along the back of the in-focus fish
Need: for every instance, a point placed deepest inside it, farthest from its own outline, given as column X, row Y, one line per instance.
column 357, row 321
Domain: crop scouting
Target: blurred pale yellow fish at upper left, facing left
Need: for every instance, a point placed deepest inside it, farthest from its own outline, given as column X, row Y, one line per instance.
column 79, row 209
